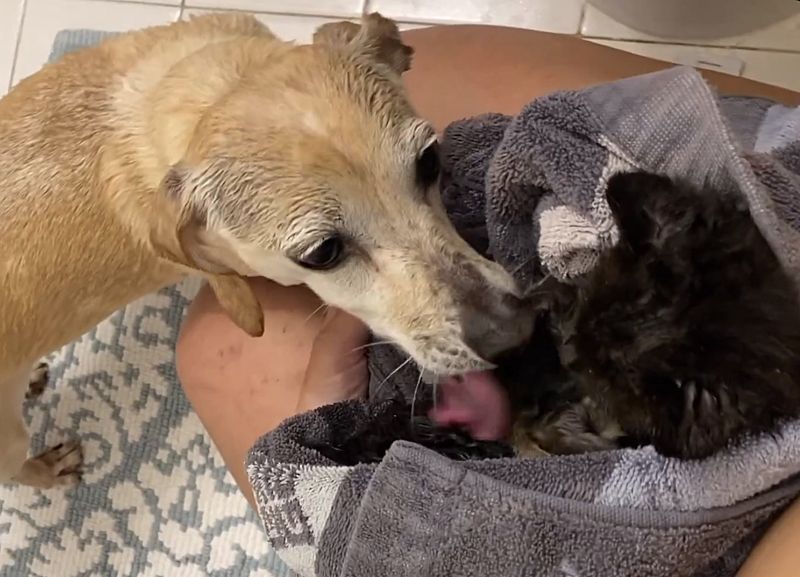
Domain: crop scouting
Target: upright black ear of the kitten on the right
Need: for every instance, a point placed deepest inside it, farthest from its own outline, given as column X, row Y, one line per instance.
column 630, row 196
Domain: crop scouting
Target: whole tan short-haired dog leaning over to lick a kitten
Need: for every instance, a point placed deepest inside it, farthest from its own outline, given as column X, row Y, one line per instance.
column 211, row 147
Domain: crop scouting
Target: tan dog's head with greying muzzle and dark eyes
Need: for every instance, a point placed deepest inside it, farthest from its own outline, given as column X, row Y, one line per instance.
column 315, row 169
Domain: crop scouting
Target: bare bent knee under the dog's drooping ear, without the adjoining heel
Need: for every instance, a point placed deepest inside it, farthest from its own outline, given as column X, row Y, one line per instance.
column 240, row 386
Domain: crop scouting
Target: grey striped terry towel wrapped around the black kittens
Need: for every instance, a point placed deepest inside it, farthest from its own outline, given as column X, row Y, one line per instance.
column 530, row 191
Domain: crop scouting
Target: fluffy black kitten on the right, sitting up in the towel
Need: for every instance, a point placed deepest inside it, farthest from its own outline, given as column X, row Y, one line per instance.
column 687, row 332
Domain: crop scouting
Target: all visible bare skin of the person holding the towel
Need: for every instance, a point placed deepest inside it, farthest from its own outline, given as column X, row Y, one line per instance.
column 243, row 387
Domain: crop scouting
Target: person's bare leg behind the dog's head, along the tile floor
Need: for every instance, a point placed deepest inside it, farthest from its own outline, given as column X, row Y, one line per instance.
column 454, row 75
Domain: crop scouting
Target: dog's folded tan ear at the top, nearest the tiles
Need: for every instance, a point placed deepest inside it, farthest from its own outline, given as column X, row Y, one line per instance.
column 376, row 37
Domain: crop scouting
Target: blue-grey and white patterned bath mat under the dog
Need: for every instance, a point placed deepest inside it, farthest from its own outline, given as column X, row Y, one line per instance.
column 156, row 499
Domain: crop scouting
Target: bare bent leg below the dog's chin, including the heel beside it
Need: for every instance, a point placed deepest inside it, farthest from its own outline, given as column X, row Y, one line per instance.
column 243, row 387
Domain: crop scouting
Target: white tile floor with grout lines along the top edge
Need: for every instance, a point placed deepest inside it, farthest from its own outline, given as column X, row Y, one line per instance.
column 27, row 28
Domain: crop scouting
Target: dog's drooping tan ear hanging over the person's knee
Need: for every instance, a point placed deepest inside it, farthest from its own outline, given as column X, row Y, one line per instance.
column 200, row 248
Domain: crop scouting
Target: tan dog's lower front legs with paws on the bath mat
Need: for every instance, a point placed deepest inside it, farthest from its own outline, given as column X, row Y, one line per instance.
column 56, row 466
